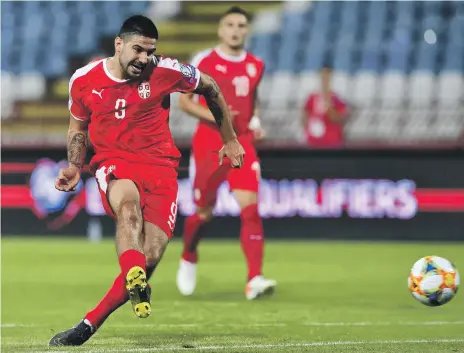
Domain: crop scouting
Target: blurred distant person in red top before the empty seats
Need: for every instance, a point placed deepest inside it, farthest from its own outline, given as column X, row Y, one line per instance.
column 324, row 115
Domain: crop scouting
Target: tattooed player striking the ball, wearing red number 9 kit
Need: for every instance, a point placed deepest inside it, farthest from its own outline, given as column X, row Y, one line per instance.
column 123, row 102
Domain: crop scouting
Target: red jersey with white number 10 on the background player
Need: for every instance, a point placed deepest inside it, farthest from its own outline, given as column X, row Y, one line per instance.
column 238, row 77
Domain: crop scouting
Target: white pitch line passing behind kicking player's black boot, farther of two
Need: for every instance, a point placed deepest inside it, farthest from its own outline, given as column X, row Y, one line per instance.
column 270, row 324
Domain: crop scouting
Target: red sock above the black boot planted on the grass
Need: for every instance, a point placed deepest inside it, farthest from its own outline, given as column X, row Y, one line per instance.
column 115, row 297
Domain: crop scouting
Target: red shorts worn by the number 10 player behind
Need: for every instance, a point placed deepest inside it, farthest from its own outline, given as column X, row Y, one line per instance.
column 209, row 175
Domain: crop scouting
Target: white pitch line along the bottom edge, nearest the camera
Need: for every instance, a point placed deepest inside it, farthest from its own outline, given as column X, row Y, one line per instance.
column 266, row 346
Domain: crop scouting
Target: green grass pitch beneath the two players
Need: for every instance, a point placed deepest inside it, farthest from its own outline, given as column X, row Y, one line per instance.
column 331, row 297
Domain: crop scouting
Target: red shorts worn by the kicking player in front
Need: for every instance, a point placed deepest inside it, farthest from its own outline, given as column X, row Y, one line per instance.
column 157, row 186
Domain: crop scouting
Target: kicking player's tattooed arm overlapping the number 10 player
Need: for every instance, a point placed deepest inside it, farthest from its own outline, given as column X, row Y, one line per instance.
column 218, row 107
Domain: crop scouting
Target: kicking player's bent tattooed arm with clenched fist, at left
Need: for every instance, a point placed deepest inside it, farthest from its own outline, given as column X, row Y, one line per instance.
column 69, row 177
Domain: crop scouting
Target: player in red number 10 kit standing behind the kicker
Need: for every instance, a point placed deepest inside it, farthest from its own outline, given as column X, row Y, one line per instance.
column 238, row 73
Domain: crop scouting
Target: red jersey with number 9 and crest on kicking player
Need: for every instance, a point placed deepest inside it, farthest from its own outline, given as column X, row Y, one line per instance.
column 129, row 119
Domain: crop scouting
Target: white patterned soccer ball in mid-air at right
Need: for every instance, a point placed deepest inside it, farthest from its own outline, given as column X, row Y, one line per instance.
column 433, row 280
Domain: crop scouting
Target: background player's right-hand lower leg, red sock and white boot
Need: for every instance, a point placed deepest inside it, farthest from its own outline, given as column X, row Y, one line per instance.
column 252, row 241
